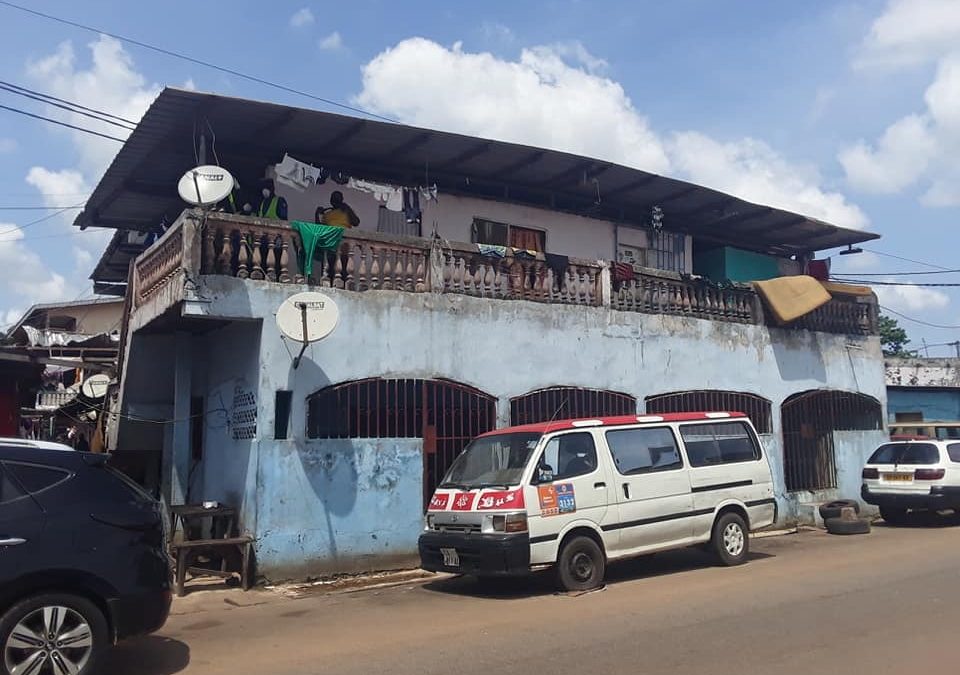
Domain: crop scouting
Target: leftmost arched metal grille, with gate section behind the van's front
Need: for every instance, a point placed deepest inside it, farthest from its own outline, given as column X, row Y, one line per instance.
column 446, row 415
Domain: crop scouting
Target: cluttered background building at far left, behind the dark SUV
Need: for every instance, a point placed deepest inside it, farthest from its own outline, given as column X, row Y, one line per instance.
column 55, row 348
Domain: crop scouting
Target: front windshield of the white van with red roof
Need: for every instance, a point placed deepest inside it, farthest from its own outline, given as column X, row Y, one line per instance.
column 492, row 461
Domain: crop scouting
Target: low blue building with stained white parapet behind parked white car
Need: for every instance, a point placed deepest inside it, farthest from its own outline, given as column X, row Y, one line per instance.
column 921, row 389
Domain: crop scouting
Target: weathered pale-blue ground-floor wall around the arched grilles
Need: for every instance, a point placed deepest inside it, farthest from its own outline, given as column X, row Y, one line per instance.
column 313, row 505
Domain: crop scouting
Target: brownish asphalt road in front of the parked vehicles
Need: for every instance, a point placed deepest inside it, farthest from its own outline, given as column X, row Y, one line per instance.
column 877, row 604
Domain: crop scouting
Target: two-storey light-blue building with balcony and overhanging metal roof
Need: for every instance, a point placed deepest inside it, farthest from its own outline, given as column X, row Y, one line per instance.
column 447, row 327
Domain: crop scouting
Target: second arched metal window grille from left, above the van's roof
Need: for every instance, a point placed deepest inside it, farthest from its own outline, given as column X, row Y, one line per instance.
column 556, row 403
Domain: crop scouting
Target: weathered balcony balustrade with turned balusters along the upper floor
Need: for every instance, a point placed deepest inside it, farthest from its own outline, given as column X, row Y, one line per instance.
column 258, row 249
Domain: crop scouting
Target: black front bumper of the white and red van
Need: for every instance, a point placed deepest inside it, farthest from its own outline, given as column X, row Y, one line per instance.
column 479, row 554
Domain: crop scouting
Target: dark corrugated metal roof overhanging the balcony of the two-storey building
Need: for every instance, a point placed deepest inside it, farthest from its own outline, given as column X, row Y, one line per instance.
column 139, row 188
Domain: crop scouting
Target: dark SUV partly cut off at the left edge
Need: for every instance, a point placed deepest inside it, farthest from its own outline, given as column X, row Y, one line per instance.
column 82, row 559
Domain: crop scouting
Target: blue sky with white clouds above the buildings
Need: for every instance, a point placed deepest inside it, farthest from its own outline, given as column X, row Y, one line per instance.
column 848, row 111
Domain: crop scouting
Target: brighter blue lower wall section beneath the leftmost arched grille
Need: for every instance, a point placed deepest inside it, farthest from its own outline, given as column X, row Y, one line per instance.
column 338, row 505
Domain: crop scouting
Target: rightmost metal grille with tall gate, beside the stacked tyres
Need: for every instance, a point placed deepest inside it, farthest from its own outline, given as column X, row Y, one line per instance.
column 809, row 420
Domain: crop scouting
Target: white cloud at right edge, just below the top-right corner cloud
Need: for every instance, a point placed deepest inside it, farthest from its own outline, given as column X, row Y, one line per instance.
column 918, row 148
